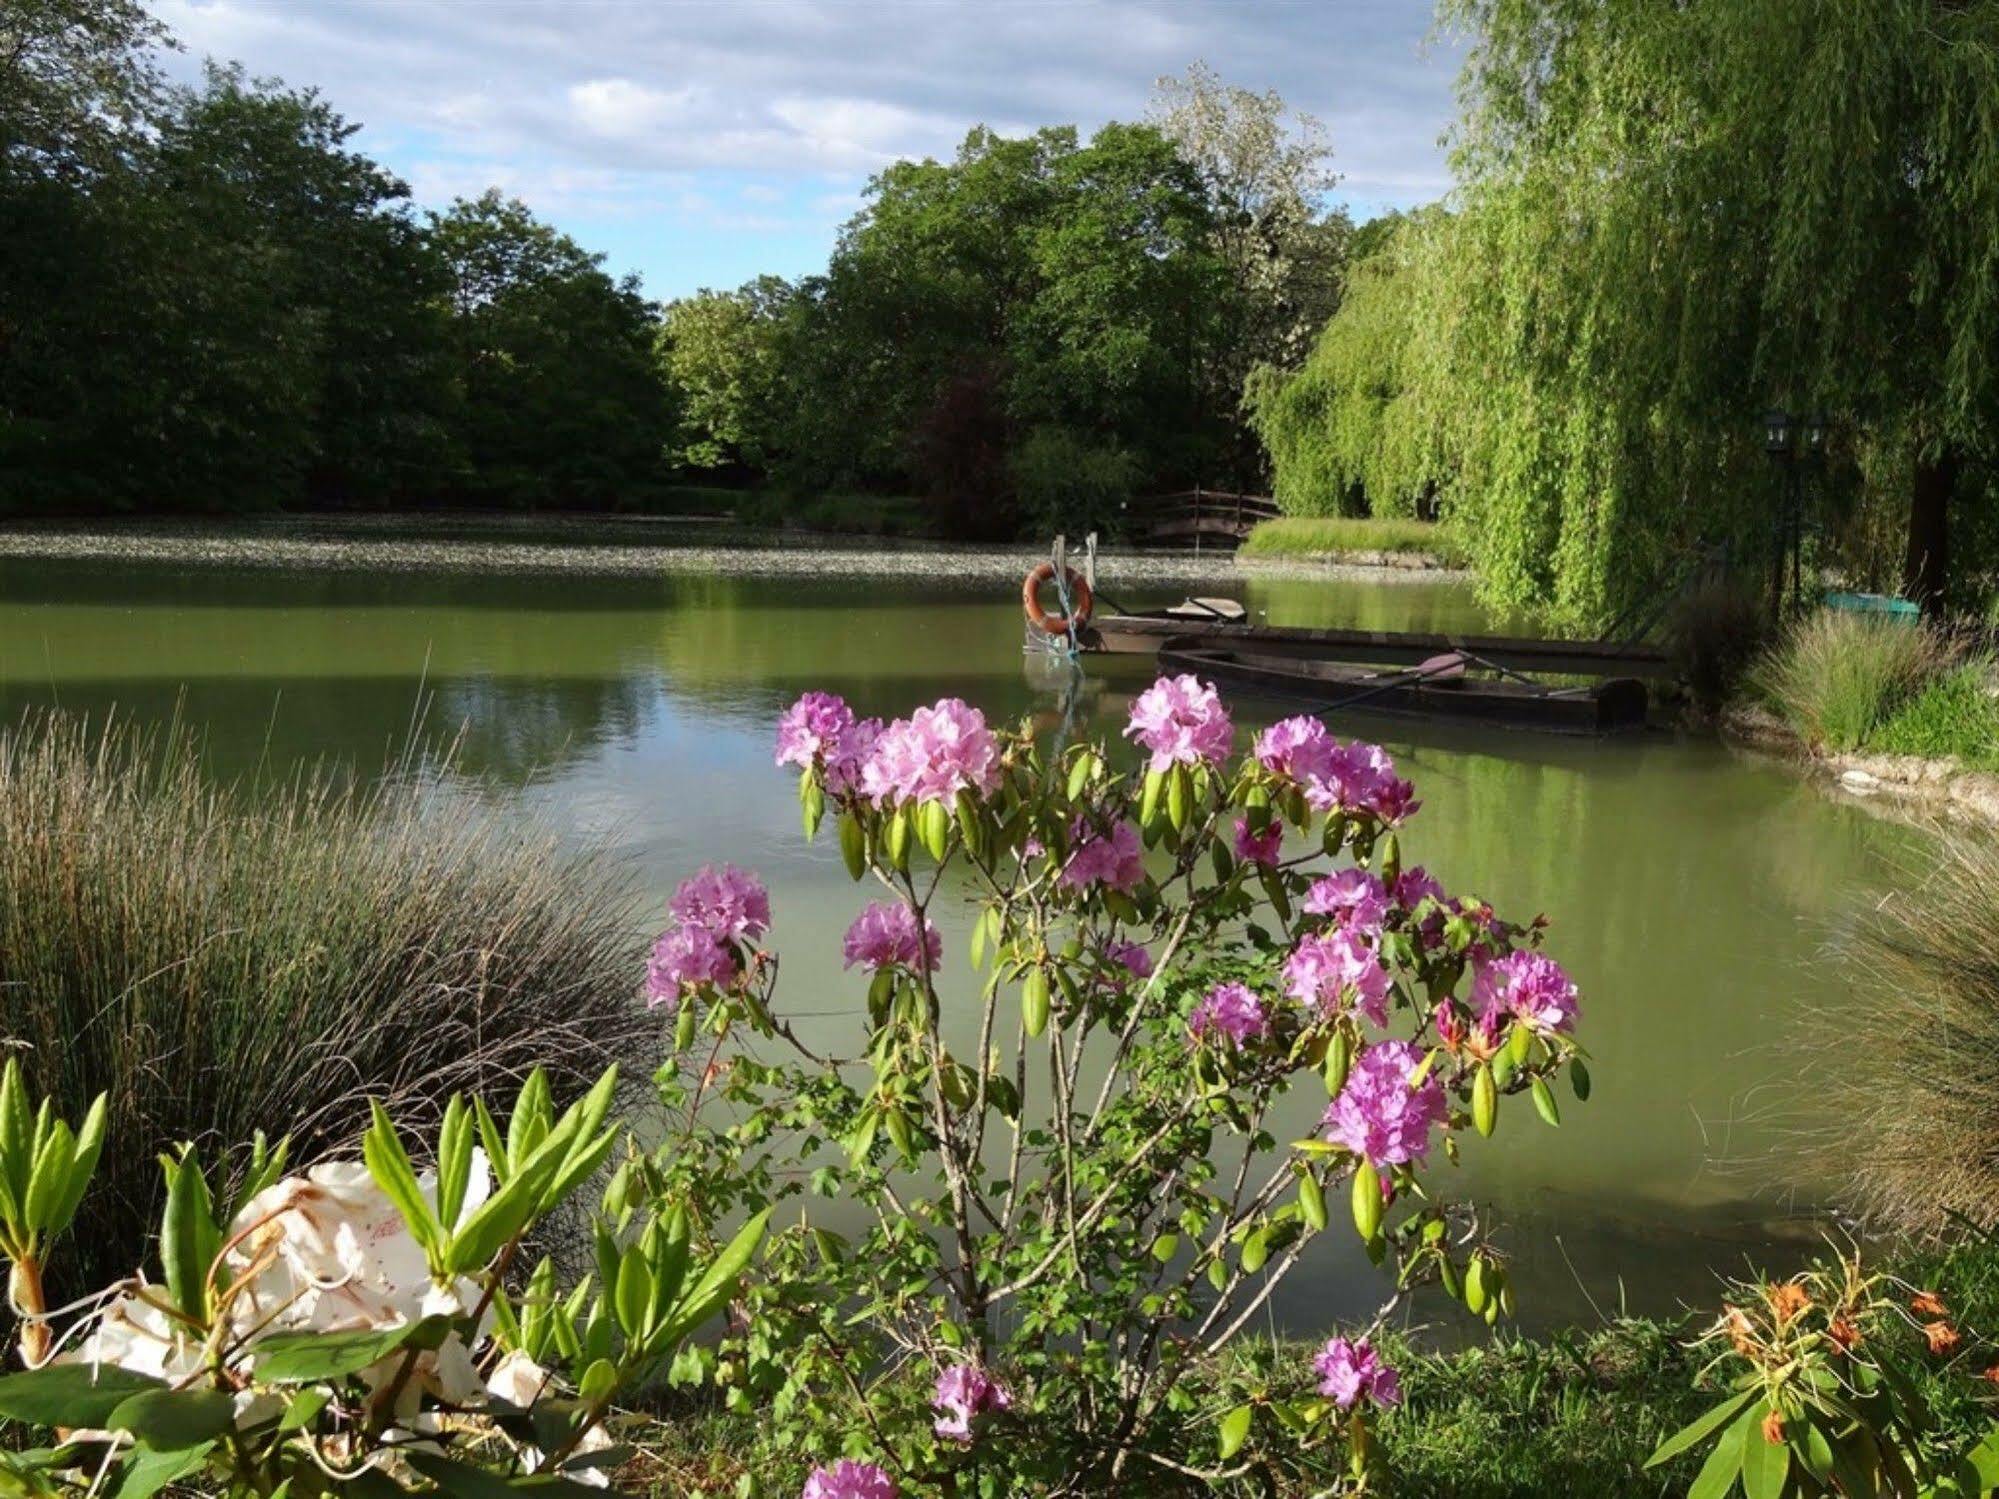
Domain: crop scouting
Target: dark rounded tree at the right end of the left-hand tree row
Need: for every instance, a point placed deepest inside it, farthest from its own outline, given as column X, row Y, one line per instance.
column 559, row 395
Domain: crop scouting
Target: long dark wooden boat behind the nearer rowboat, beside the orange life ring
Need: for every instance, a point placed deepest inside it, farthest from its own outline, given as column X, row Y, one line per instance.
column 1144, row 635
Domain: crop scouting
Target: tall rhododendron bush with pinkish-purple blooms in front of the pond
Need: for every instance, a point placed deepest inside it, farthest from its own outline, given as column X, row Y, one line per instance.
column 1064, row 1136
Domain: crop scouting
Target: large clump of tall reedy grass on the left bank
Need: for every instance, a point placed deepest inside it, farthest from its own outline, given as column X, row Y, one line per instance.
column 225, row 960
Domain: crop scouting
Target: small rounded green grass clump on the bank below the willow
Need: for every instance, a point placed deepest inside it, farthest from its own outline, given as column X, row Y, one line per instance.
column 1838, row 677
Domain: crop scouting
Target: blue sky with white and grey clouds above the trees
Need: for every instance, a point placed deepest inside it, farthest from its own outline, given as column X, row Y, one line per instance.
column 703, row 143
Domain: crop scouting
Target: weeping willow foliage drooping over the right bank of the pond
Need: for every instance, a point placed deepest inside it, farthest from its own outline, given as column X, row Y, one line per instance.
column 1666, row 221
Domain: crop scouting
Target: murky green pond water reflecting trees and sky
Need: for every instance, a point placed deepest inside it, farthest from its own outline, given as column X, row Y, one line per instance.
column 1690, row 888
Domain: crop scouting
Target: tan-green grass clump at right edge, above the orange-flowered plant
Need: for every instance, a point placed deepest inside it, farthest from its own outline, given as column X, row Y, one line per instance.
column 1912, row 1066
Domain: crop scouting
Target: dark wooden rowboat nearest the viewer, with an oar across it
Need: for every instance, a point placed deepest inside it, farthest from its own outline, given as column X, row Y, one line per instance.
column 1600, row 709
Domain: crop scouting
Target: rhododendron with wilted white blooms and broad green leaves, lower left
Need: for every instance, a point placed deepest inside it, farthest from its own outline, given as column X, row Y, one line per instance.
column 353, row 1324
